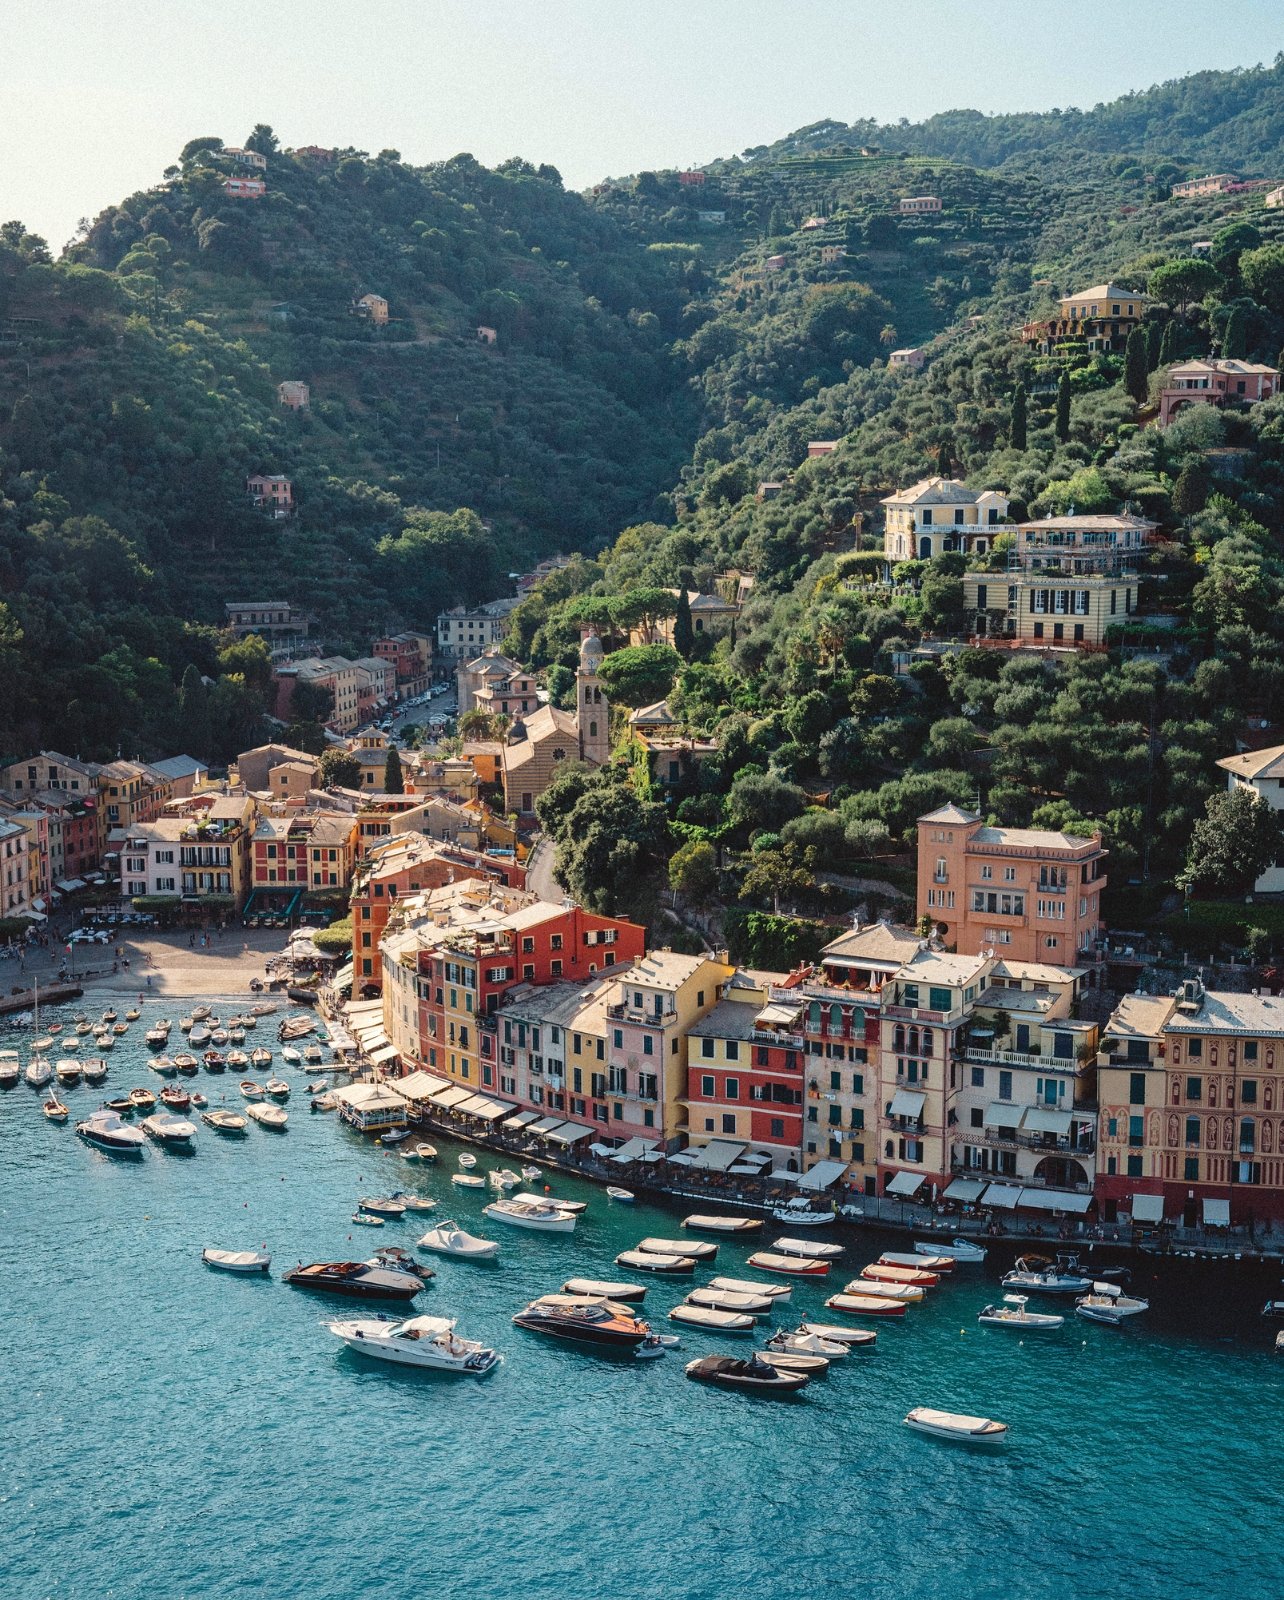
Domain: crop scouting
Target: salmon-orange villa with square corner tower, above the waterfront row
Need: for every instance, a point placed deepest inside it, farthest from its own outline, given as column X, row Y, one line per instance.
column 1029, row 895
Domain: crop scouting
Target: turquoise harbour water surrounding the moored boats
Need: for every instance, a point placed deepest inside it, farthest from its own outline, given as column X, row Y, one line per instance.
column 171, row 1433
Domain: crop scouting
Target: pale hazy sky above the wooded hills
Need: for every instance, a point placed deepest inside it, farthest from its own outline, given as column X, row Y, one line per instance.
column 97, row 100
